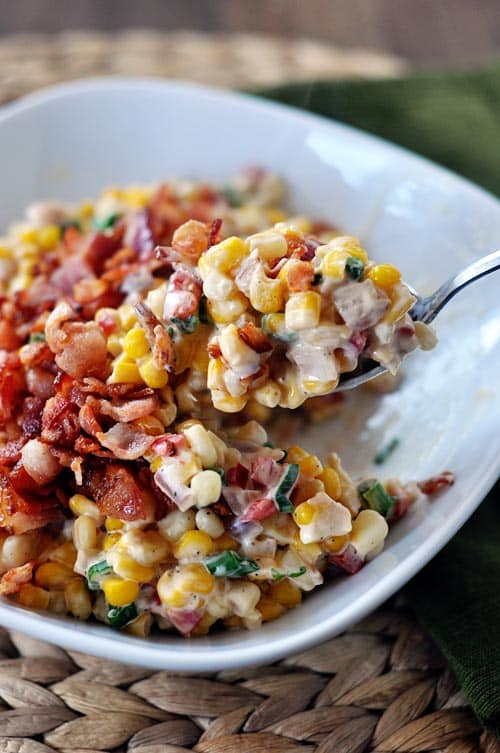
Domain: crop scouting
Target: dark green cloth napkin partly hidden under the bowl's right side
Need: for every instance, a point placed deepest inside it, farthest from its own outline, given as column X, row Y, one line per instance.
column 454, row 119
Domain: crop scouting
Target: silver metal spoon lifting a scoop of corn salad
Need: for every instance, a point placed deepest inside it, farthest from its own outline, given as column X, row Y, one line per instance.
column 425, row 310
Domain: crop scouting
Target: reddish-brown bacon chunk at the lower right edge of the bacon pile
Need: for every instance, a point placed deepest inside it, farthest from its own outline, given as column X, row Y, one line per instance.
column 115, row 491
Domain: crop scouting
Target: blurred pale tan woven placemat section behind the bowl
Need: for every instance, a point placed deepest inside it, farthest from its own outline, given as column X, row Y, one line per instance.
column 28, row 62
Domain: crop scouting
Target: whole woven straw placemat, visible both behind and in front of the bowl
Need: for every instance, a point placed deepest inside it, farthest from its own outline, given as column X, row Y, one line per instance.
column 382, row 686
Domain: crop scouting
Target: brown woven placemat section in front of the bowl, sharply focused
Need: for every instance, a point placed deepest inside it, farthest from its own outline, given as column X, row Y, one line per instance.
column 381, row 686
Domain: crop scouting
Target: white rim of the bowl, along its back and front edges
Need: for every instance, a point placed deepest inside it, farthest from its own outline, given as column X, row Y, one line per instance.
column 101, row 641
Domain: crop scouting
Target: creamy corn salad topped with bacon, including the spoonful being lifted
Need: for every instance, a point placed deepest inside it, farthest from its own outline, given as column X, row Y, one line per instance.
column 129, row 327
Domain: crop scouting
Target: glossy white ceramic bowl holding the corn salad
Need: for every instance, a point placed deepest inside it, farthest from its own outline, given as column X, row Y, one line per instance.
column 72, row 140
